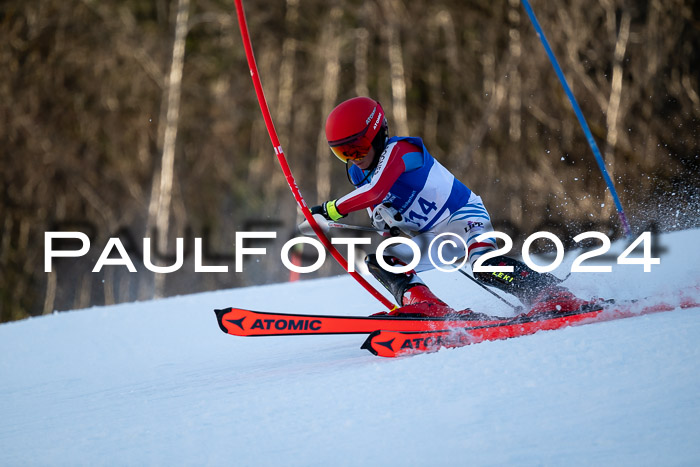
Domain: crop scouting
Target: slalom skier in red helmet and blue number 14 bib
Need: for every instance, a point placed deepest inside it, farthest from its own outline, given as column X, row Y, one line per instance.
column 403, row 186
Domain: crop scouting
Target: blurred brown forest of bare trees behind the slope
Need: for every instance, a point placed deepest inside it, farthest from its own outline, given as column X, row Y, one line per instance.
column 137, row 118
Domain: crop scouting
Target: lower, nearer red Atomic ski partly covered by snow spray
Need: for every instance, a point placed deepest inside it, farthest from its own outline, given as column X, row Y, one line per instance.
column 395, row 344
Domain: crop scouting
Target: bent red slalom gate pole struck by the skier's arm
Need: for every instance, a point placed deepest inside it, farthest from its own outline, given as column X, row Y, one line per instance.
column 283, row 160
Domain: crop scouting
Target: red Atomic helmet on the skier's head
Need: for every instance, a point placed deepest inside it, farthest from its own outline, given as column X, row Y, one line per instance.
column 353, row 126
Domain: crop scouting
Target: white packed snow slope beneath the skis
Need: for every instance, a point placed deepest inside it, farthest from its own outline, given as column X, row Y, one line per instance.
column 158, row 383
